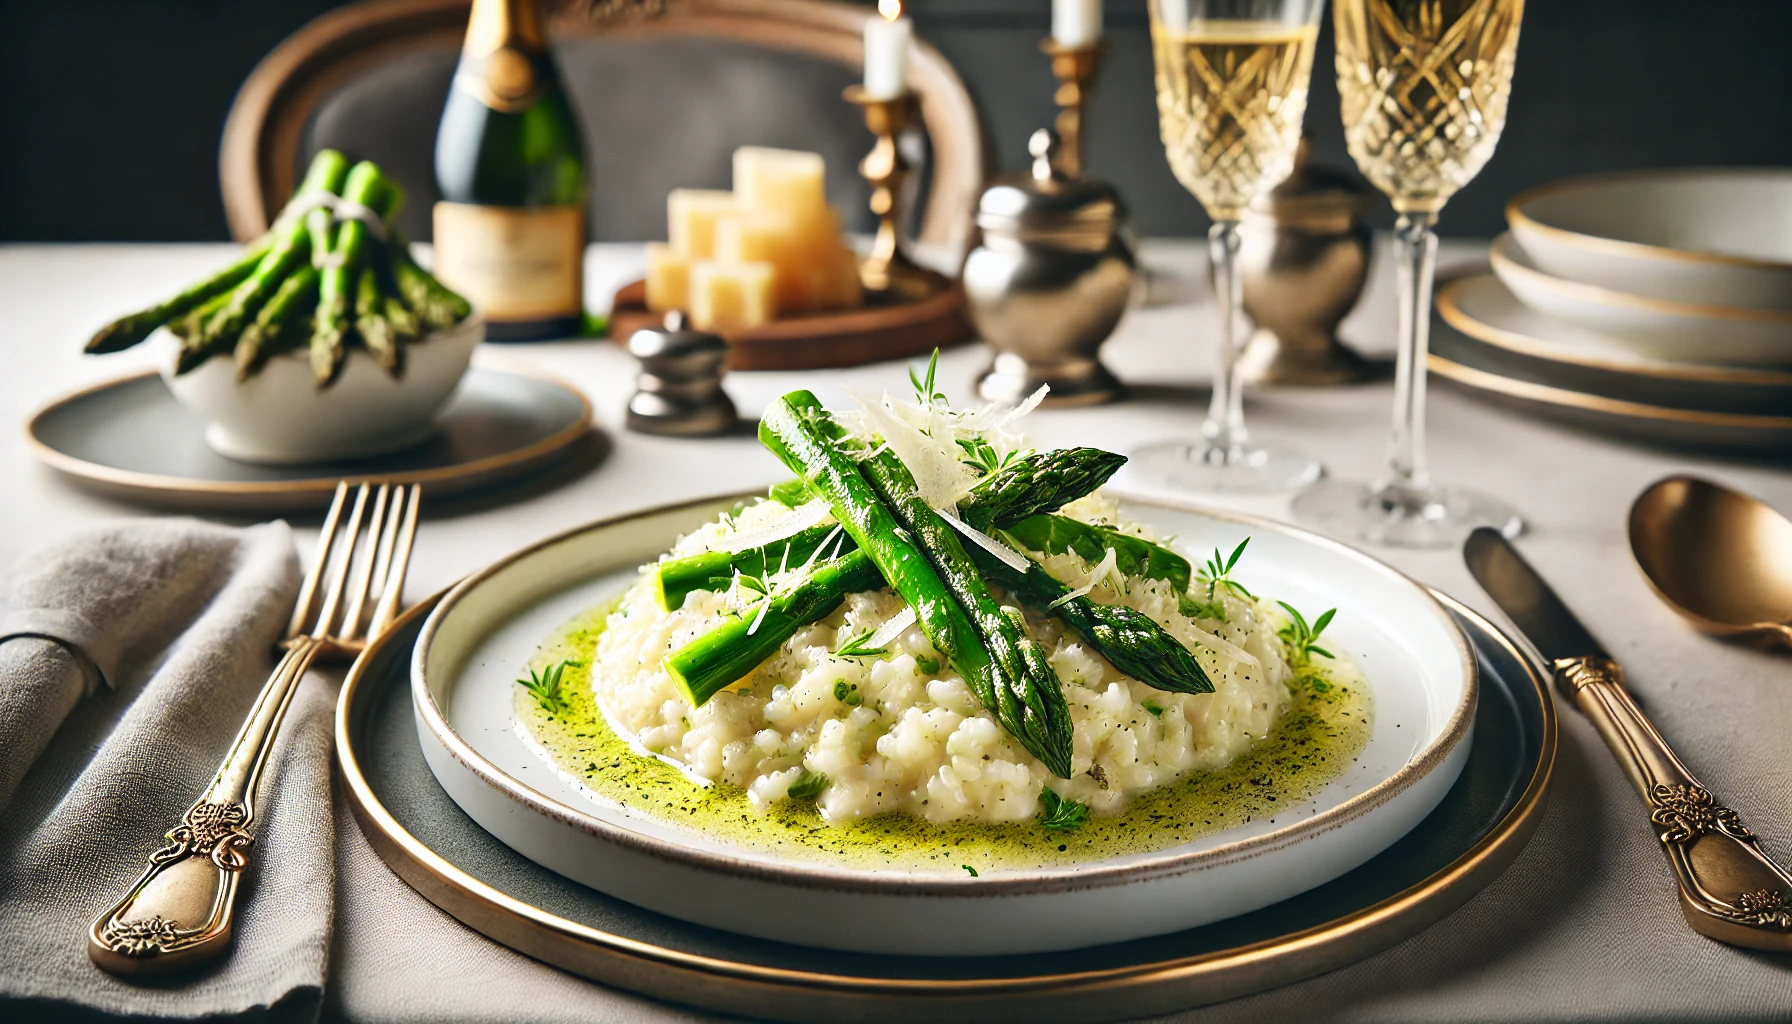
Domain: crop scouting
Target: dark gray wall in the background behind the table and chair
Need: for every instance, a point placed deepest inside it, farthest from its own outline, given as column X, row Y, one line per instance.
column 110, row 110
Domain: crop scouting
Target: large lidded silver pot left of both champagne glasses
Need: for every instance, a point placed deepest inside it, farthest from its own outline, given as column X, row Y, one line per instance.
column 1049, row 282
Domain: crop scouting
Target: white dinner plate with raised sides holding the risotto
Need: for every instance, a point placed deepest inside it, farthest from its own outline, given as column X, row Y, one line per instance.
column 478, row 641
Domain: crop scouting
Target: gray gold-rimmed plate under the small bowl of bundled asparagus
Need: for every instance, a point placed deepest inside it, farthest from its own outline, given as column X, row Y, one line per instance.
column 128, row 438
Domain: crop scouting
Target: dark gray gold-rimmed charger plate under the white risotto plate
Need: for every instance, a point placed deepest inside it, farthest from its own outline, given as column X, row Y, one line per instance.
column 1451, row 856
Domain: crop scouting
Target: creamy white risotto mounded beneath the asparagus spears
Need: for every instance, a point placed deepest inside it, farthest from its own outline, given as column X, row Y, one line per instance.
column 902, row 733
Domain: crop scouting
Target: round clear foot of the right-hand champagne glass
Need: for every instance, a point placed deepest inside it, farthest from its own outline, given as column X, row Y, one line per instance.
column 1404, row 517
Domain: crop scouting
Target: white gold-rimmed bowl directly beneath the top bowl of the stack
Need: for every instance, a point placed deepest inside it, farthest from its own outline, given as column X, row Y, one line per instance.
column 1682, row 333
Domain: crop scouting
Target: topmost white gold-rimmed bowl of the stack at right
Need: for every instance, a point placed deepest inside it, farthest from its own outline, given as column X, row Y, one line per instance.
column 1721, row 238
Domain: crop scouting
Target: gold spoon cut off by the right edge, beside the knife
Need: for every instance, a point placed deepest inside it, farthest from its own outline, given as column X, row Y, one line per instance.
column 1718, row 557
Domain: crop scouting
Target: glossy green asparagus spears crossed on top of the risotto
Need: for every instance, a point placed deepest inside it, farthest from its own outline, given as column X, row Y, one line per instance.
column 890, row 535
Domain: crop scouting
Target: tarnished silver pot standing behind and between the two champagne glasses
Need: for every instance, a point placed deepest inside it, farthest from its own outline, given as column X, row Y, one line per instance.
column 1304, row 263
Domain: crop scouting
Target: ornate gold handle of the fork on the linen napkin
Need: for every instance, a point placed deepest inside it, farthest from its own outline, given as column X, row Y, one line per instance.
column 180, row 912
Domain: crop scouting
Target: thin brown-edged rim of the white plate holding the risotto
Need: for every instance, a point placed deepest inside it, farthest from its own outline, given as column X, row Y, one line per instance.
column 1055, row 880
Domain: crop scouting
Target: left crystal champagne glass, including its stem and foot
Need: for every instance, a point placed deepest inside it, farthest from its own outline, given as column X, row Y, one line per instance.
column 1232, row 92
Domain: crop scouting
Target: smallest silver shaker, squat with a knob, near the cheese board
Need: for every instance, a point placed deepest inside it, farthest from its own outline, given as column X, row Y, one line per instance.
column 680, row 388
